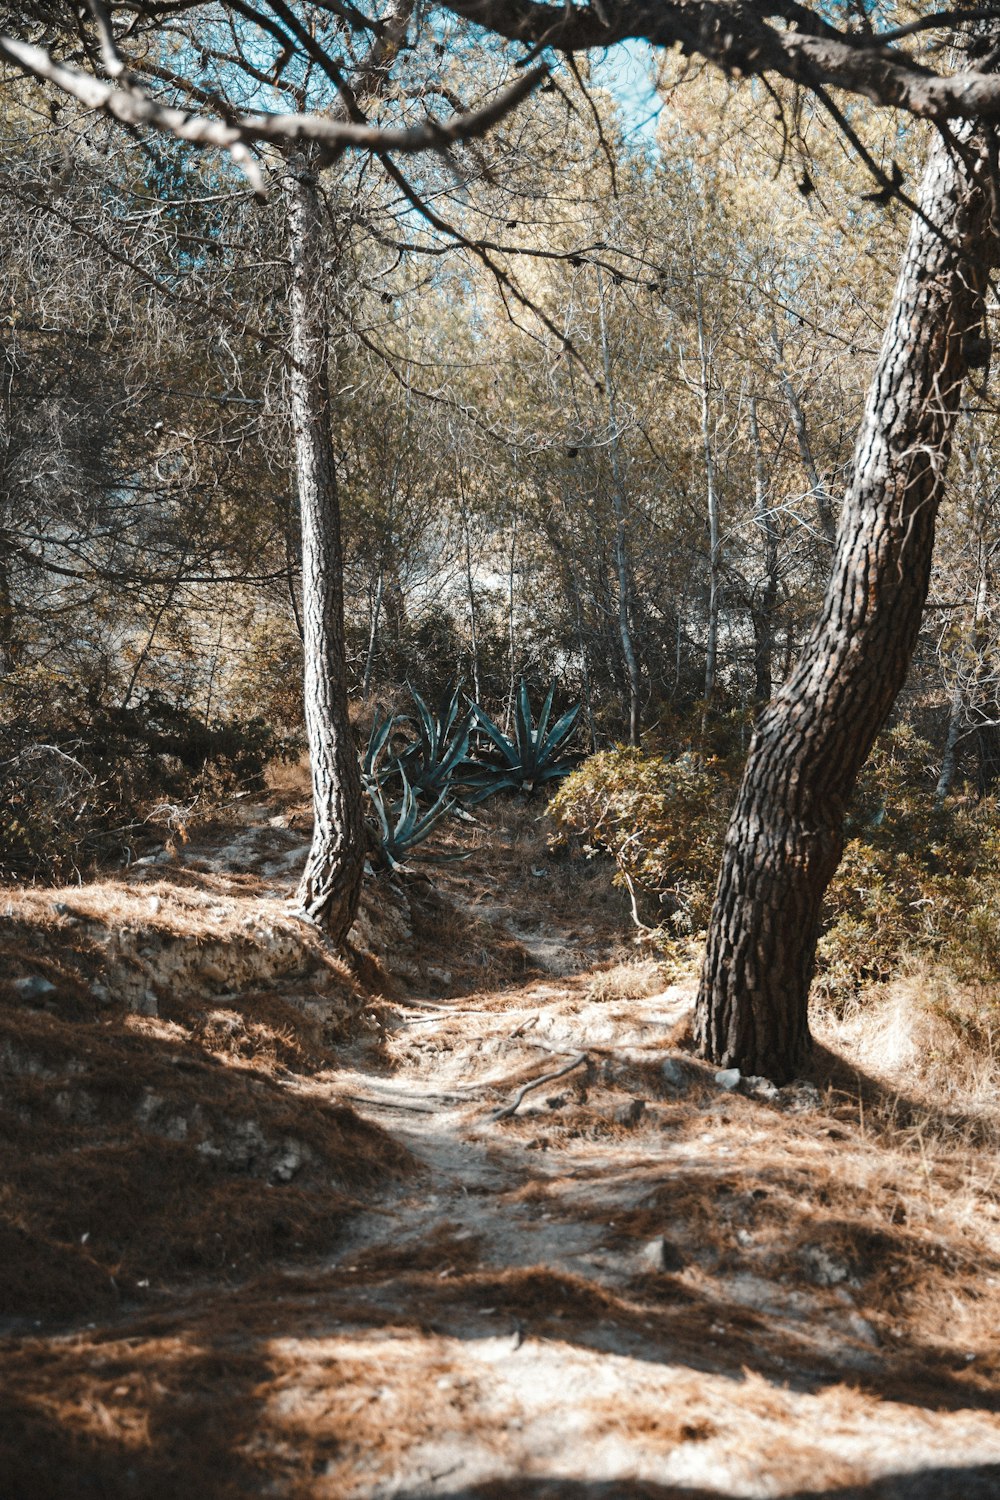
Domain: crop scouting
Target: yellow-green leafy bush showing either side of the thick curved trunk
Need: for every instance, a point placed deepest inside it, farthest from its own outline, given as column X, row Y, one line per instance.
column 915, row 880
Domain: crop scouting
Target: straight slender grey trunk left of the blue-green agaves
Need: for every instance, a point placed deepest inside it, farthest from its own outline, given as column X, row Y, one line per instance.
column 332, row 881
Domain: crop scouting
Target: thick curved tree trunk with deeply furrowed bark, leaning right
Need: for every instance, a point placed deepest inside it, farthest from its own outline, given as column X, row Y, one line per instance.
column 786, row 833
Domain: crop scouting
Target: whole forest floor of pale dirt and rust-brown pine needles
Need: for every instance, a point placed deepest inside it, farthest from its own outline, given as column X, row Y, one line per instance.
column 263, row 1231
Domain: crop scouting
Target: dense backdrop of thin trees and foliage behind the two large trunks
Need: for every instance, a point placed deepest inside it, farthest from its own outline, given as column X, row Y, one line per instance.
column 642, row 509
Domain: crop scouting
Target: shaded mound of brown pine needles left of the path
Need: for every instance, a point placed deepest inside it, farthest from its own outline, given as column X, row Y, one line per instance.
column 131, row 1163
